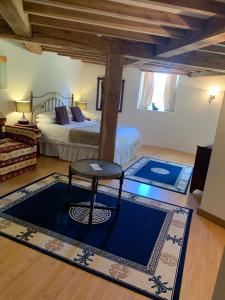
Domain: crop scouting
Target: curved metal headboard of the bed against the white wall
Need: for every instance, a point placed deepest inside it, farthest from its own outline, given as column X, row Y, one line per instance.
column 48, row 102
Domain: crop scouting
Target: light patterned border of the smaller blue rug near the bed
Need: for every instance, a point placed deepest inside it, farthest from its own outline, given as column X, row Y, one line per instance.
column 166, row 161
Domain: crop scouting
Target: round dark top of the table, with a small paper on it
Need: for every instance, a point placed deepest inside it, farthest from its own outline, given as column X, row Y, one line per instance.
column 108, row 169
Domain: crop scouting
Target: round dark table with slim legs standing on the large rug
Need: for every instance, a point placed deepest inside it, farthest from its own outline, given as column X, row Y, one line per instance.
column 108, row 170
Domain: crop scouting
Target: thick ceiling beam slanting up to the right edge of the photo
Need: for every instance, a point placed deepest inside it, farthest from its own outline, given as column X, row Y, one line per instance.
column 213, row 33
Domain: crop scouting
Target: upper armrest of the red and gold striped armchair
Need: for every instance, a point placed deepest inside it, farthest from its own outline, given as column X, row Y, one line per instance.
column 28, row 136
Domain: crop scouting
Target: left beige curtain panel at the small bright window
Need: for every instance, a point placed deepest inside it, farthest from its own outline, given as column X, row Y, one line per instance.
column 147, row 90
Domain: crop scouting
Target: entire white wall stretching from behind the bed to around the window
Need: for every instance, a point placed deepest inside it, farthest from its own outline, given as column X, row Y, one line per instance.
column 193, row 121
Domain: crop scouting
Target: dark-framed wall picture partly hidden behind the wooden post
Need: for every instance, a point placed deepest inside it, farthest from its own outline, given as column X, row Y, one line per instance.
column 100, row 94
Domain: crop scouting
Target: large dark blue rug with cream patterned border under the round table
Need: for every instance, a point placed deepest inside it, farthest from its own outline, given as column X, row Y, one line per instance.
column 142, row 248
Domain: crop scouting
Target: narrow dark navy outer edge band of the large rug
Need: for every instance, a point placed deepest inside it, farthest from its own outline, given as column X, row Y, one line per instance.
column 179, row 273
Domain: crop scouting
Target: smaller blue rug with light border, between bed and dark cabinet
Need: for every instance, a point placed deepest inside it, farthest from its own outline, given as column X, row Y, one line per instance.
column 163, row 174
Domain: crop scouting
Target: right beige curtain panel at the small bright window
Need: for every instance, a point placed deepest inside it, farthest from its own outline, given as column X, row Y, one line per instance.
column 169, row 94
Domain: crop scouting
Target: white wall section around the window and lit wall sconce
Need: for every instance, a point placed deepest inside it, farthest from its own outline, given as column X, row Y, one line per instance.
column 192, row 123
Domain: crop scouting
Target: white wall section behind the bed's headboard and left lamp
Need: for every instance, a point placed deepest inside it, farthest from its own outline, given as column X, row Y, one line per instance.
column 28, row 72
